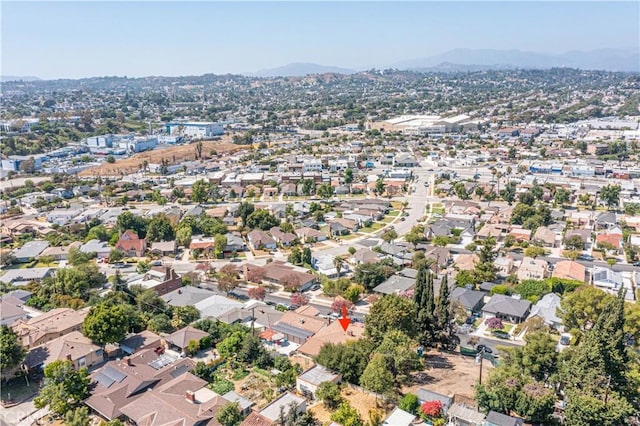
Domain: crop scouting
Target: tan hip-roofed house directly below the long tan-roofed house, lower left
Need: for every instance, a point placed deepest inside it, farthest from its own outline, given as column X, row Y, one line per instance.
column 72, row 347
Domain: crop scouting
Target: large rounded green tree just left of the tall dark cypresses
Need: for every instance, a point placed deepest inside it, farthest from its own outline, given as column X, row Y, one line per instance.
column 391, row 312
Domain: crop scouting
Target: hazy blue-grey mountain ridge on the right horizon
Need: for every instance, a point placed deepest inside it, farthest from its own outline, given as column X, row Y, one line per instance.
column 601, row 59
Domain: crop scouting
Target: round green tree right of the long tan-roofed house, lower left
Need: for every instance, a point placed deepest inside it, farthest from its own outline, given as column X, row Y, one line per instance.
column 105, row 324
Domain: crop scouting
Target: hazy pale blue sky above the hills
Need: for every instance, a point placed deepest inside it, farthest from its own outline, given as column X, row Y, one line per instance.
column 72, row 39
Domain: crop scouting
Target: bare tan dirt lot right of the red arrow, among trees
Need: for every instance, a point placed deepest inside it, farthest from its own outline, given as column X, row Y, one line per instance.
column 449, row 374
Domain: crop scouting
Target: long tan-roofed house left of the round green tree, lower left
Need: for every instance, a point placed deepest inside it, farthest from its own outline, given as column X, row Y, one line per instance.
column 50, row 325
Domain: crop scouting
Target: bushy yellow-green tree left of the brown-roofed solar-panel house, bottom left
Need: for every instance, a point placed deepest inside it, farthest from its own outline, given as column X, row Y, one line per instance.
column 64, row 387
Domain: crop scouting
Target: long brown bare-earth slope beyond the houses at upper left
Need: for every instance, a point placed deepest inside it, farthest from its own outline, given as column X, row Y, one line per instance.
column 175, row 155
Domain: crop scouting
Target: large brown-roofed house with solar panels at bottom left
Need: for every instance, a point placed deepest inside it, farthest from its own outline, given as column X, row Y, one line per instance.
column 123, row 382
